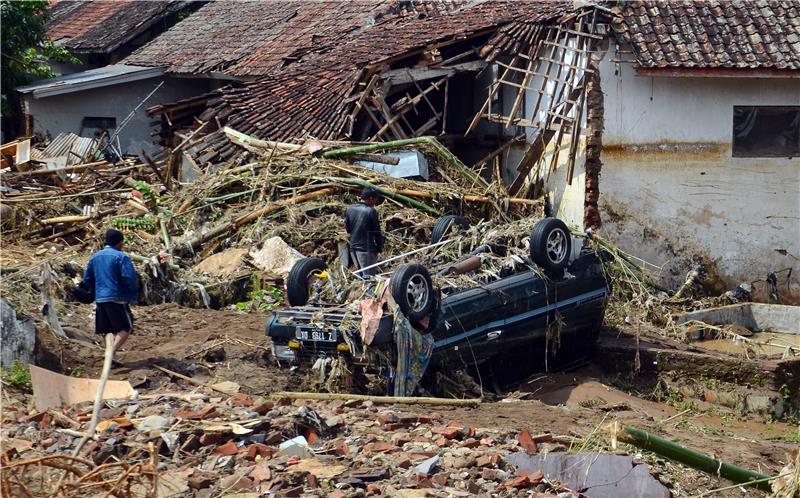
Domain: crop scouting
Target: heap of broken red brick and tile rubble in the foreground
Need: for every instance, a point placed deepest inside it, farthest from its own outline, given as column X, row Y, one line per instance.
column 195, row 444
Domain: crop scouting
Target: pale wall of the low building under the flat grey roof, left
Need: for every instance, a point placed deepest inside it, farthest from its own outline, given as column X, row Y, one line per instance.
column 65, row 112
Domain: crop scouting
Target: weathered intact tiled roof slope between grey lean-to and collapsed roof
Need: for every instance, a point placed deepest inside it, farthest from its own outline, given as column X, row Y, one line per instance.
column 256, row 38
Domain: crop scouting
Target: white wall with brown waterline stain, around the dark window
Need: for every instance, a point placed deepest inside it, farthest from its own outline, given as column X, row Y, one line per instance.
column 671, row 190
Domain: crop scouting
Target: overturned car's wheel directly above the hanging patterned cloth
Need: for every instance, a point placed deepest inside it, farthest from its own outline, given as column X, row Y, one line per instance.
column 412, row 289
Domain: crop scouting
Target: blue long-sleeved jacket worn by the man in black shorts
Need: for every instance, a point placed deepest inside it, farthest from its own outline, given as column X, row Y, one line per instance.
column 111, row 276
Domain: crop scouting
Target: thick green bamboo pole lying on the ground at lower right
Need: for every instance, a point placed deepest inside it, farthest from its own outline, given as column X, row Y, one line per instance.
column 694, row 459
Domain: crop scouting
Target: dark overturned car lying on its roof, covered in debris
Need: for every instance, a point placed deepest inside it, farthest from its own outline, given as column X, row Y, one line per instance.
column 542, row 312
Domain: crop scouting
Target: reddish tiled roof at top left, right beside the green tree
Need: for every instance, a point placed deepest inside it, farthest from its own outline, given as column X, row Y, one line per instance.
column 101, row 26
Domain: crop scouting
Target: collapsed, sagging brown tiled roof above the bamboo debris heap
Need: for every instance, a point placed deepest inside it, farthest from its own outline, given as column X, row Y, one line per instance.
column 310, row 96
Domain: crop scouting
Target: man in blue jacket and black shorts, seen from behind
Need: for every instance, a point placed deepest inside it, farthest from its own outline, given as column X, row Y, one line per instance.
column 112, row 278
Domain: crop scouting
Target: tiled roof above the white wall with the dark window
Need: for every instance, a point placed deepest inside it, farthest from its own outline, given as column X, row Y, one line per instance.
column 712, row 33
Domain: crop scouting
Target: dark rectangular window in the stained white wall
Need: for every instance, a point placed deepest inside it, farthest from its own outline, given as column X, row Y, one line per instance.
column 766, row 131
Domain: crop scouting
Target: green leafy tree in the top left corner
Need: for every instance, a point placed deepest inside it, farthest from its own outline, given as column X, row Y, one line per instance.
column 26, row 51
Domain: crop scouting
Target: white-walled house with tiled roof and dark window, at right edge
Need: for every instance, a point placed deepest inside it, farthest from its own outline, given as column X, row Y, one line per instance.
column 701, row 140
